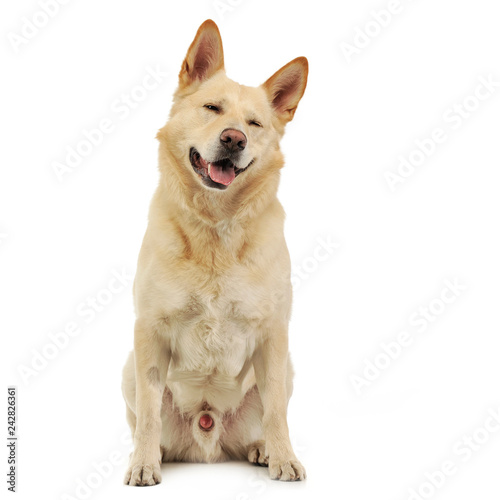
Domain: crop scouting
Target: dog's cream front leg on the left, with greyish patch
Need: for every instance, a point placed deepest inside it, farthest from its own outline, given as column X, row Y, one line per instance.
column 151, row 366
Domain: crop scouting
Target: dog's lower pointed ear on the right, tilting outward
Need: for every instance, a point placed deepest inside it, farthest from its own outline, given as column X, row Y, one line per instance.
column 286, row 87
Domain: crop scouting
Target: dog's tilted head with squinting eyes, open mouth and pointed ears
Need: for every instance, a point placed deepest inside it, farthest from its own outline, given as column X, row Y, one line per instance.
column 219, row 131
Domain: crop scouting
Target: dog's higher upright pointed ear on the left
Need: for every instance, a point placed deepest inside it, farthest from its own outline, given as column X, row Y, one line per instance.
column 204, row 57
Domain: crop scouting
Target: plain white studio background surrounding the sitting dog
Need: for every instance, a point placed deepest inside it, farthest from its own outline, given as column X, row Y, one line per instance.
column 60, row 241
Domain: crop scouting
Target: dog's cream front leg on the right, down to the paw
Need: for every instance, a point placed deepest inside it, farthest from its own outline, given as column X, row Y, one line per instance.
column 271, row 367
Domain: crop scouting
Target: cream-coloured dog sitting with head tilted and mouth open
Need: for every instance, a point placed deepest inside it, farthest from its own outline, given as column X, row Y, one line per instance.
column 210, row 377
